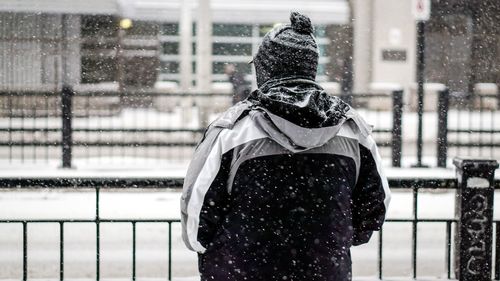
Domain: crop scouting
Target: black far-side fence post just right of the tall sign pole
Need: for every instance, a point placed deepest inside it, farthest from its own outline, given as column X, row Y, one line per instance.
column 442, row 141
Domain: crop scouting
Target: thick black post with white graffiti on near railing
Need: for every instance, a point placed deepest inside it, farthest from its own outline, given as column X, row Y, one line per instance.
column 474, row 211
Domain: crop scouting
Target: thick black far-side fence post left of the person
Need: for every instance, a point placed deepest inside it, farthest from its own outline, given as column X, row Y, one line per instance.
column 67, row 139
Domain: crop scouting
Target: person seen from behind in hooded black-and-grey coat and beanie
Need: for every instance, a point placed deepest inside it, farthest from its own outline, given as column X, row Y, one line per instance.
column 285, row 182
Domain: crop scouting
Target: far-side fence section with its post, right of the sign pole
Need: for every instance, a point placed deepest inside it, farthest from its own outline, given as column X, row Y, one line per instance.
column 467, row 125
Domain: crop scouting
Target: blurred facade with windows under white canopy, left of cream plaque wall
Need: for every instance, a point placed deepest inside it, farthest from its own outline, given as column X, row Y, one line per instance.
column 84, row 40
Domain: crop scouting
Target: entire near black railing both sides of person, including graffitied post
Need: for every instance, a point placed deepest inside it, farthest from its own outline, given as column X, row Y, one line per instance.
column 416, row 186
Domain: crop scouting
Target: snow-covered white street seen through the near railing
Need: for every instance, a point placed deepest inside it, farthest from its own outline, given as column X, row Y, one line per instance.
column 116, row 238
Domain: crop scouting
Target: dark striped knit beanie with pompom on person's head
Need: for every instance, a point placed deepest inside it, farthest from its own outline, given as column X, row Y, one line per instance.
column 288, row 51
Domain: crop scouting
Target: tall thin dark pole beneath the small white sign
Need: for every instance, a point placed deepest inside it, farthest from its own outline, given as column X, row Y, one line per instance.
column 420, row 89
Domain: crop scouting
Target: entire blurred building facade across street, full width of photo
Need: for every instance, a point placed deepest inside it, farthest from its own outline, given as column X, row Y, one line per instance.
column 81, row 42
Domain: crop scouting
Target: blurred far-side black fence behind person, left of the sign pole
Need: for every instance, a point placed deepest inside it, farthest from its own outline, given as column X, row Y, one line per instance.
column 96, row 125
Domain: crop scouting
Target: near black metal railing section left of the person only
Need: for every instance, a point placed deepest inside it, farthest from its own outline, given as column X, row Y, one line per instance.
column 97, row 184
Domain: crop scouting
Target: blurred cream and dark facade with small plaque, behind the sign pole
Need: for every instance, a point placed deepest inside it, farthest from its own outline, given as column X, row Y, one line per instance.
column 462, row 43
